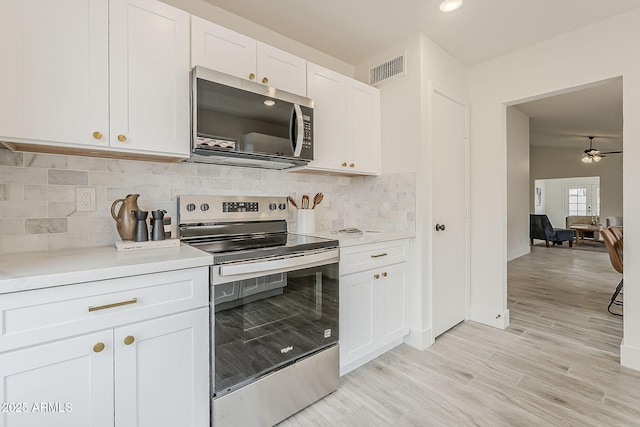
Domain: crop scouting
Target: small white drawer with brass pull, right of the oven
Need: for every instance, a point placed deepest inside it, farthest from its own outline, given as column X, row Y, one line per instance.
column 374, row 255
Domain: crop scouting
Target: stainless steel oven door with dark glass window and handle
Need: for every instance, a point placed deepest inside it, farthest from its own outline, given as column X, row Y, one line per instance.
column 269, row 314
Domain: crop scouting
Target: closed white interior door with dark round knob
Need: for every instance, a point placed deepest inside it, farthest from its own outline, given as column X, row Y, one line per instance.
column 450, row 252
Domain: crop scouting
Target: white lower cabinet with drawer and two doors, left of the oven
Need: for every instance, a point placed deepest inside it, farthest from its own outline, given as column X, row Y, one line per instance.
column 147, row 364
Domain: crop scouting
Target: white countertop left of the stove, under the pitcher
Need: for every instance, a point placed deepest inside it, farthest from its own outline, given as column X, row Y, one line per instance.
column 36, row 270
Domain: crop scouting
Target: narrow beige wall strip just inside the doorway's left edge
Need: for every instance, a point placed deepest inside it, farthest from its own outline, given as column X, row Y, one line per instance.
column 518, row 183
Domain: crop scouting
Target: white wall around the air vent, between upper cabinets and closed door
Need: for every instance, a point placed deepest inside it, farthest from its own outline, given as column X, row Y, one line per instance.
column 406, row 147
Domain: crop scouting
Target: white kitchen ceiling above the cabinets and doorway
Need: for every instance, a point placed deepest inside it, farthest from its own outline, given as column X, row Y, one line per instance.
column 354, row 30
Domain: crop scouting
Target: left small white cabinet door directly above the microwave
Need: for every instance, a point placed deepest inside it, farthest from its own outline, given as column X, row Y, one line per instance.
column 218, row 48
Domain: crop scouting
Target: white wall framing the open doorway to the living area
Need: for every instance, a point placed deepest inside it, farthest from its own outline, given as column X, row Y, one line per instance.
column 595, row 53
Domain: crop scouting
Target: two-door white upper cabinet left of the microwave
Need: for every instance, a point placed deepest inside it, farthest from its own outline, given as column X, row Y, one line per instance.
column 97, row 77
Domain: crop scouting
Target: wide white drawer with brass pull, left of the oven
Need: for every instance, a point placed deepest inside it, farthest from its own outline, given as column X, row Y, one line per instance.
column 42, row 315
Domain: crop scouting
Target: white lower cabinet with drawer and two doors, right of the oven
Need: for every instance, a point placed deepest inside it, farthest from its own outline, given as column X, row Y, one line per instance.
column 374, row 301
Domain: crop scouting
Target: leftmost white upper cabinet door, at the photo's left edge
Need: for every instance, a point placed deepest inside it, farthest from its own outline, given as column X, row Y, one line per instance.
column 54, row 75
